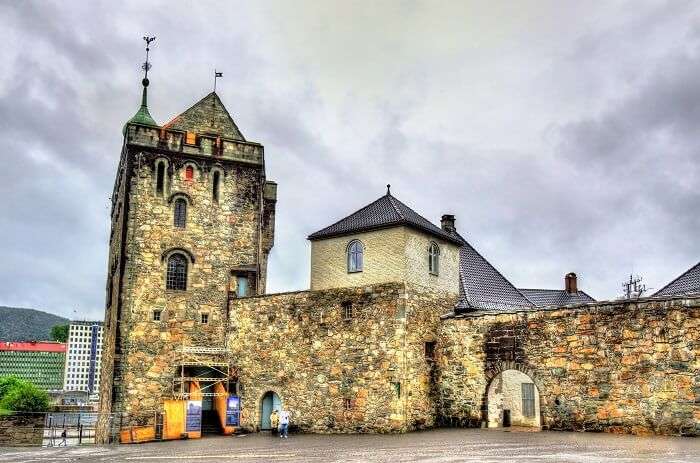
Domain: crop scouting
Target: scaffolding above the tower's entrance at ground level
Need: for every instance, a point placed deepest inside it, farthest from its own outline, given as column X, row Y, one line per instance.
column 213, row 367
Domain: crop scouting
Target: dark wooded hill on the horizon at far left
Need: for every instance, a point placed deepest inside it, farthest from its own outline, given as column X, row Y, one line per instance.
column 27, row 324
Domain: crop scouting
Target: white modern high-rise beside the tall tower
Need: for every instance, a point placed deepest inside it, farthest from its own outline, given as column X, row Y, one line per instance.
column 83, row 357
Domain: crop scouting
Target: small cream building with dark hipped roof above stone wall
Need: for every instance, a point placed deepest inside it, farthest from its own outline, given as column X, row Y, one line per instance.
column 385, row 241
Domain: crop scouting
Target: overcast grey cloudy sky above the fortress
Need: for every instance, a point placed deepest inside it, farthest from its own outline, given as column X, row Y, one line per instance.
column 563, row 135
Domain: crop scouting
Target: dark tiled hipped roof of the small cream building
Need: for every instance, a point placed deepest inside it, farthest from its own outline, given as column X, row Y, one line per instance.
column 385, row 212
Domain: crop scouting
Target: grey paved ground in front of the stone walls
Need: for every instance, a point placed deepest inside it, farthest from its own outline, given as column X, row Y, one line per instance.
column 445, row 445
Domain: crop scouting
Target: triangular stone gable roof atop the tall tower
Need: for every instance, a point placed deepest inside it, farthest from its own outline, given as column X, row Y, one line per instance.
column 207, row 116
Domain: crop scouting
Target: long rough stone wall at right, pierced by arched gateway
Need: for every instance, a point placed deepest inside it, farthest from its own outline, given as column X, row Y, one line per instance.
column 631, row 367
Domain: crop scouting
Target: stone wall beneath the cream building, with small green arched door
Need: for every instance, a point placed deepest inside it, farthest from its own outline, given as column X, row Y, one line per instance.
column 364, row 374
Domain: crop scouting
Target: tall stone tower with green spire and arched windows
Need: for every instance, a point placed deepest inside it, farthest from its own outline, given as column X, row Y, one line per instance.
column 192, row 226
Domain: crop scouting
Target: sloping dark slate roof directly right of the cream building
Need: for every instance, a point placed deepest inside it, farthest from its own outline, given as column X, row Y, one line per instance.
column 484, row 287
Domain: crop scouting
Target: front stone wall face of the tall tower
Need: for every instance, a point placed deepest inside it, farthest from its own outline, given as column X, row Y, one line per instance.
column 220, row 236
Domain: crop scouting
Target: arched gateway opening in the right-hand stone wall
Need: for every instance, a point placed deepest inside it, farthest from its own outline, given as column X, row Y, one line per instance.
column 504, row 390
